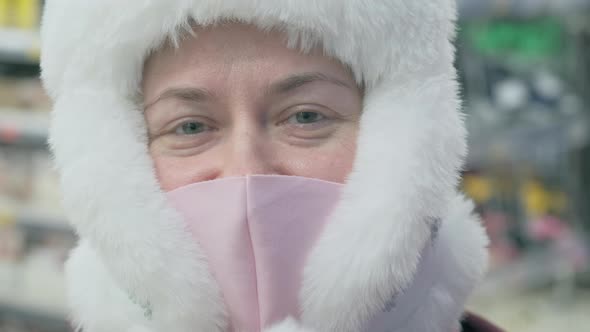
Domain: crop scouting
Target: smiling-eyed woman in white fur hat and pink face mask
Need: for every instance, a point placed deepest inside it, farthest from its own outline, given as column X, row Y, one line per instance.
column 262, row 165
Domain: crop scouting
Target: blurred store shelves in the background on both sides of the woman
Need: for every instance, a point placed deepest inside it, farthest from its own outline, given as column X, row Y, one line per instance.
column 525, row 71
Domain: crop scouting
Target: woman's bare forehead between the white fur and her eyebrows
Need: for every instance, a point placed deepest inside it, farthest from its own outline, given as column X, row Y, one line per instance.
column 213, row 51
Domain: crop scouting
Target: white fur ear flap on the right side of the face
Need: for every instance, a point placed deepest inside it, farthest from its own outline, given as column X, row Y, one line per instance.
column 383, row 231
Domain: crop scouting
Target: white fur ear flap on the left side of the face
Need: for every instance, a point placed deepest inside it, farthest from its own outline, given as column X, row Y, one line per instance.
column 140, row 245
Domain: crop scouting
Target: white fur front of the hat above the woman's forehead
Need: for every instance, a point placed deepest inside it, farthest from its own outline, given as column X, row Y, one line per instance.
column 105, row 44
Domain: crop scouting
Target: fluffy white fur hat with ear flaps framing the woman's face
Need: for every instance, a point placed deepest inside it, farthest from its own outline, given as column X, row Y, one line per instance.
column 136, row 269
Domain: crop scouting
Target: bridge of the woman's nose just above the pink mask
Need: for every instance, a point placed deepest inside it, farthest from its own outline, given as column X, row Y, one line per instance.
column 246, row 150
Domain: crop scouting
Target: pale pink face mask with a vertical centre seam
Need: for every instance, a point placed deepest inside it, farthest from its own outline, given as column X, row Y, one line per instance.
column 256, row 232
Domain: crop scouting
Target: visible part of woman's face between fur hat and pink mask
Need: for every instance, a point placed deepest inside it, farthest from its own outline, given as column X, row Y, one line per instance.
column 235, row 101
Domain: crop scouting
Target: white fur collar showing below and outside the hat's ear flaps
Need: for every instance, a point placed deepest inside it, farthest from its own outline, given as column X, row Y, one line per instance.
column 457, row 253
